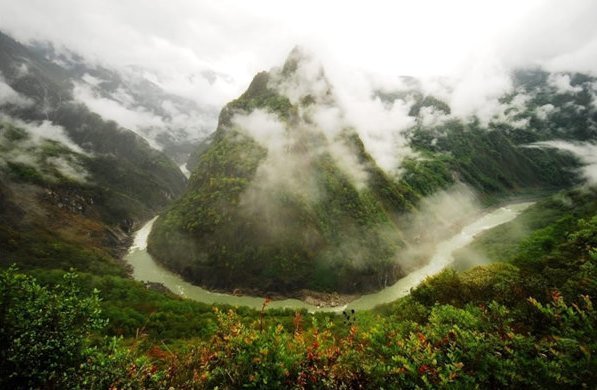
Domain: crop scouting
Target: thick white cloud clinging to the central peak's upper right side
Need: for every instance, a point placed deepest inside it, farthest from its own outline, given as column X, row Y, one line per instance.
column 337, row 105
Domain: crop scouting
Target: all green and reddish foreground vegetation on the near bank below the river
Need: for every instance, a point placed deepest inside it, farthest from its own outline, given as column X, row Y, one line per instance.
column 526, row 323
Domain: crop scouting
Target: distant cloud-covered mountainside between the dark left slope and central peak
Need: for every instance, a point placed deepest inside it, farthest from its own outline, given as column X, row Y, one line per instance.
column 132, row 97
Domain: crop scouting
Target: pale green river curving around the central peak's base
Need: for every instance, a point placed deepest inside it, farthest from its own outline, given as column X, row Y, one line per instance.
column 145, row 268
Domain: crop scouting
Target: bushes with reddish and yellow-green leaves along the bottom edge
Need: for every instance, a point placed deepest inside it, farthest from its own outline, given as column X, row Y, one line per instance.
column 467, row 347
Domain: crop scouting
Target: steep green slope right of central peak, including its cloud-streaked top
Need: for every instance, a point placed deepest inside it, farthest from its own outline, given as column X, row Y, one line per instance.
column 498, row 155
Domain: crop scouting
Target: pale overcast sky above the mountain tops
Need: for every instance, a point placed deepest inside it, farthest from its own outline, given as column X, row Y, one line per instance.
column 178, row 39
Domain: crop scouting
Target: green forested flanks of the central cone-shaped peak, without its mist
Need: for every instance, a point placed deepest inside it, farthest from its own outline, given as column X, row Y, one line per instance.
column 213, row 241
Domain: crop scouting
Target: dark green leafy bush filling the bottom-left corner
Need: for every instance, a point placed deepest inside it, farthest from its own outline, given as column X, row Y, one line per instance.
column 43, row 332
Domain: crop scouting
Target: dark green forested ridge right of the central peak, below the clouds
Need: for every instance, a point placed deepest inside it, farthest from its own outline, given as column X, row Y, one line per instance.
column 490, row 160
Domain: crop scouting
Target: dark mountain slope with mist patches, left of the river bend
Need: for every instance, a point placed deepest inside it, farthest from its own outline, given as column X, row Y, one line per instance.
column 72, row 184
